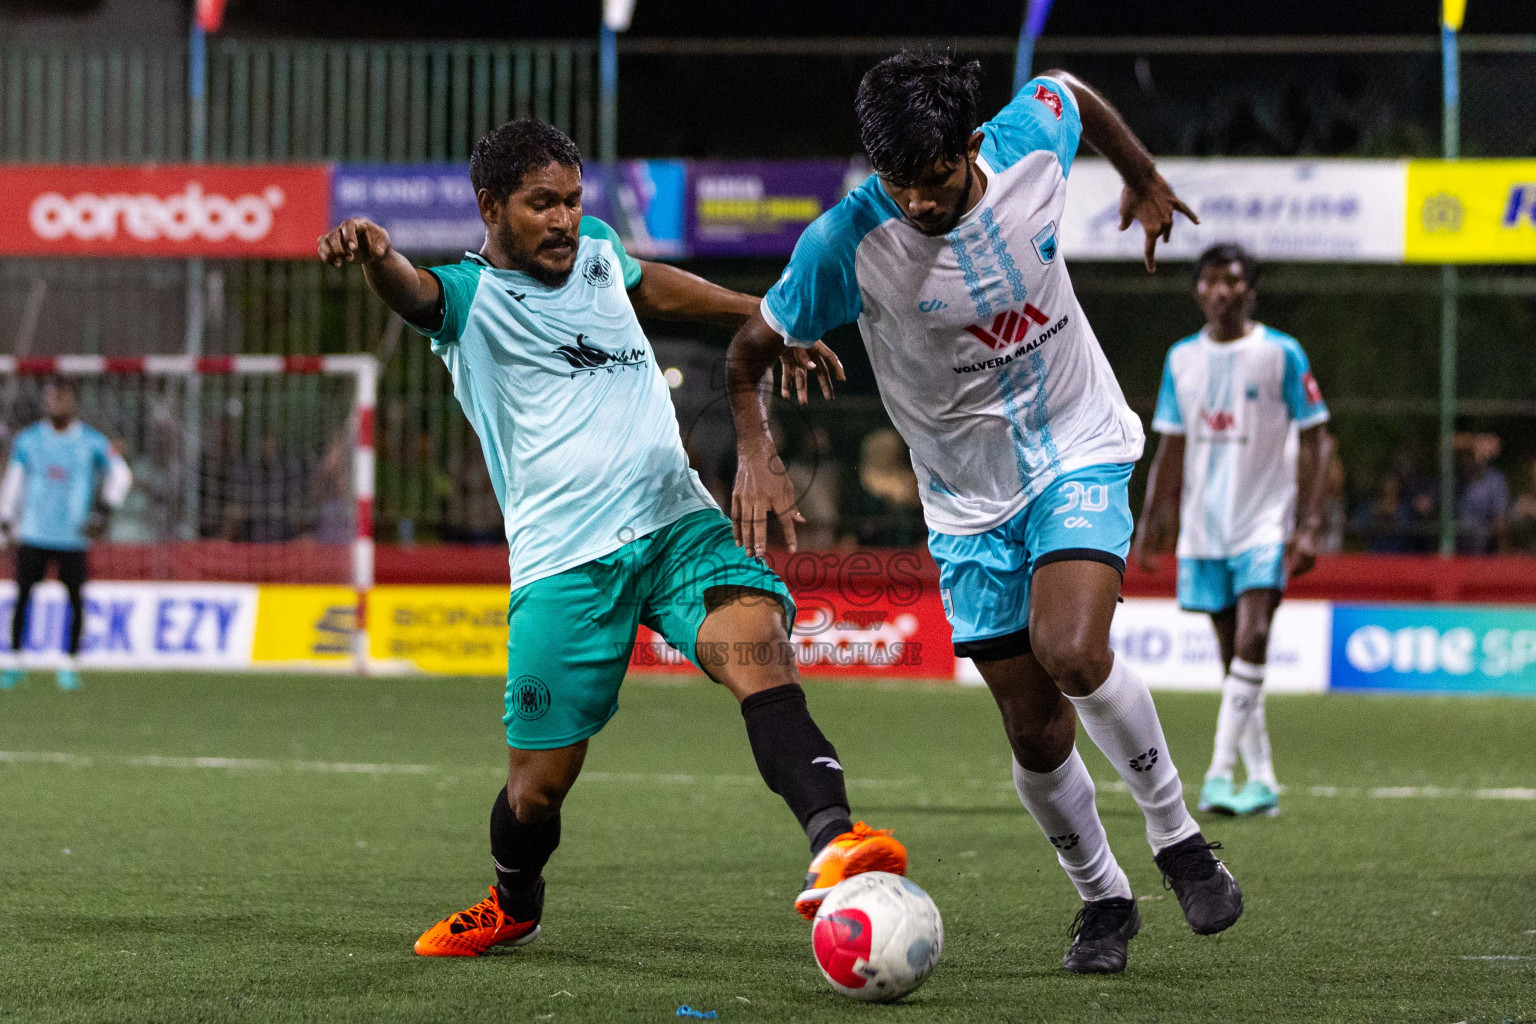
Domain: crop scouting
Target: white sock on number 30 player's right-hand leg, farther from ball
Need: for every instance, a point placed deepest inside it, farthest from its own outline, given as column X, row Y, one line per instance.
column 1122, row 721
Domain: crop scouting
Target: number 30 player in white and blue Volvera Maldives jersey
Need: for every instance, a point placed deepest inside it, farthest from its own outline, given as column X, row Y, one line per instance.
column 947, row 259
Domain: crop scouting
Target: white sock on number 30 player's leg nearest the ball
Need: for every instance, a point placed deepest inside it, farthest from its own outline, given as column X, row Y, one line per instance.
column 1062, row 805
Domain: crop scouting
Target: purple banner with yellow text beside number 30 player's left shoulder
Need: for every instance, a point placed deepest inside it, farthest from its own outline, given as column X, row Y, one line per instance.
column 760, row 208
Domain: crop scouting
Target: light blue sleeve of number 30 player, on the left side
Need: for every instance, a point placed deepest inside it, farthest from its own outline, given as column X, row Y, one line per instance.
column 818, row 291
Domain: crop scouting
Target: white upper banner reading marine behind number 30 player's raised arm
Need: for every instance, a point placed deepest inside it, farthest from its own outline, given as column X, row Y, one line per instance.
column 1345, row 211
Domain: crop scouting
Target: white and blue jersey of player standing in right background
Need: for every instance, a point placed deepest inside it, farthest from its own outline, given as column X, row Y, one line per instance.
column 1240, row 406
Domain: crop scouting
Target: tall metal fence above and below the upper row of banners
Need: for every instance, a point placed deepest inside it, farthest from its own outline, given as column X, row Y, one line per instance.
column 1372, row 331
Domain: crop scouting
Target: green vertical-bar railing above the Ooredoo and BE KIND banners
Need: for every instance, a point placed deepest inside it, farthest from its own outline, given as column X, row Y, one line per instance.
column 288, row 101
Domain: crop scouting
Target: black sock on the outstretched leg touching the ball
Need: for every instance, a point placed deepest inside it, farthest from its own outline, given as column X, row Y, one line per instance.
column 798, row 762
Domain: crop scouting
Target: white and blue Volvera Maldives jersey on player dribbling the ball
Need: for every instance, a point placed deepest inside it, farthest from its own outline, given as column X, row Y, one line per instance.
column 979, row 346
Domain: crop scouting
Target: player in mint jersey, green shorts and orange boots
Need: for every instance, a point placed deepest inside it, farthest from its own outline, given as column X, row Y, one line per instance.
column 606, row 523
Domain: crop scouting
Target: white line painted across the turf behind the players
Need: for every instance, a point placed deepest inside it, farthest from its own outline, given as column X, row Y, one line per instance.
column 677, row 779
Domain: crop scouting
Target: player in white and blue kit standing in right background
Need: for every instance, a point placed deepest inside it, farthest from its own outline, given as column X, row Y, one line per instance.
column 1240, row 474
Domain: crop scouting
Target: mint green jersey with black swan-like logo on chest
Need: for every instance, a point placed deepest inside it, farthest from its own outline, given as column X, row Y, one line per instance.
column 574, row 415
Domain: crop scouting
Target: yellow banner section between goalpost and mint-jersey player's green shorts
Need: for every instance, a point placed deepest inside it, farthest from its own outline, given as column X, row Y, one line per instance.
column 452, row 630
